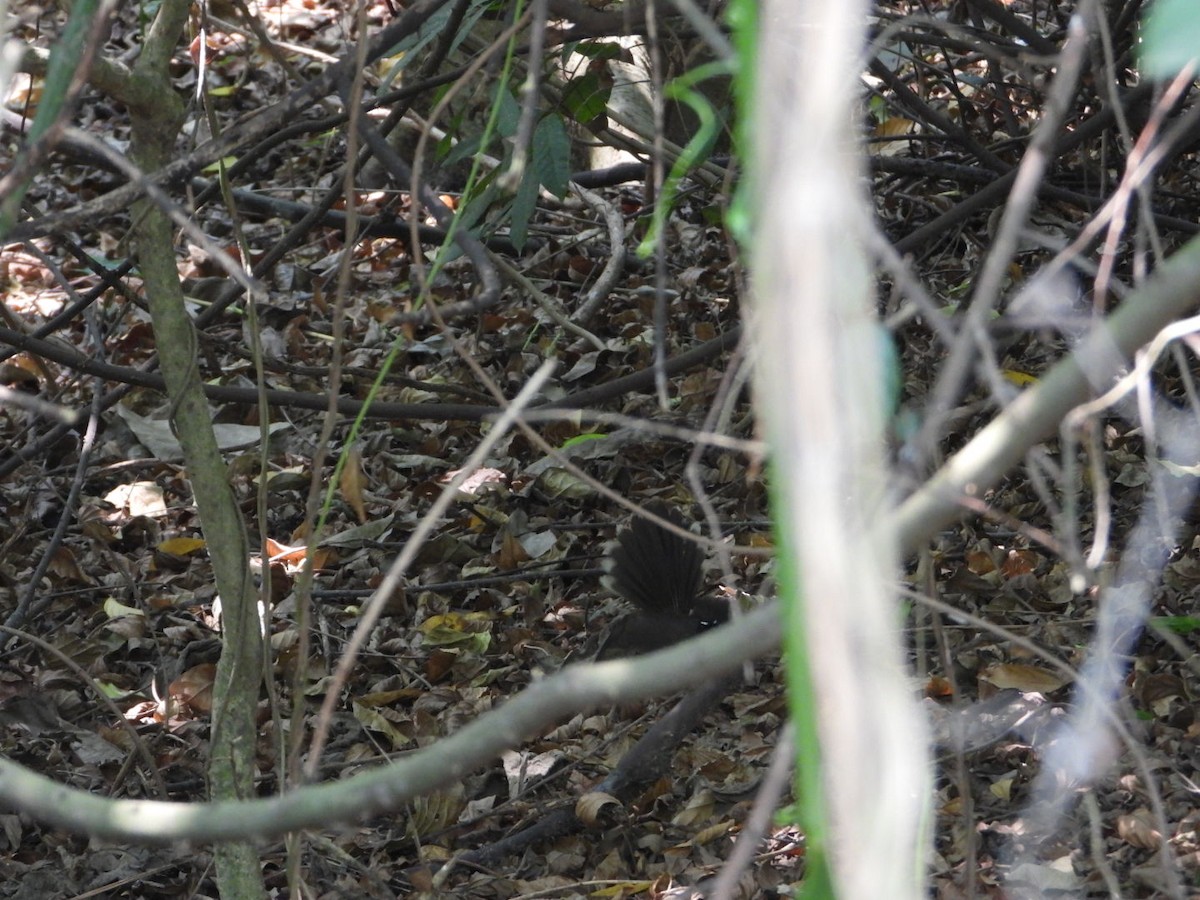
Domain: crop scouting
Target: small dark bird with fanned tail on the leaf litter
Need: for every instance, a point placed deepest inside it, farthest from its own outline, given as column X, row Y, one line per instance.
column 661, row 574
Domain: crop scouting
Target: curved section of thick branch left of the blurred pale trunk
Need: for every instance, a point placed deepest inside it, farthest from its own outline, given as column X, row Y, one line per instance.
column 585, row 687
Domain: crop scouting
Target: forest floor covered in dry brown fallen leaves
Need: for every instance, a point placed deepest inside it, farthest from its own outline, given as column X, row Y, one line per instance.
column 509, row 587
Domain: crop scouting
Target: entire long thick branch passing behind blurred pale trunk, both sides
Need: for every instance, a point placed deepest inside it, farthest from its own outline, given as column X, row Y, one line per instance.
column 1034, row 417
